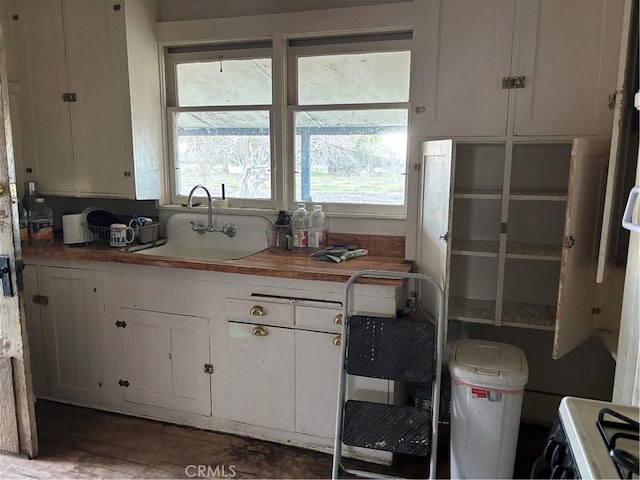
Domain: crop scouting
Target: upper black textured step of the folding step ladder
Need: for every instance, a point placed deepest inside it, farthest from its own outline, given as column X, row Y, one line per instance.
column 391, row 348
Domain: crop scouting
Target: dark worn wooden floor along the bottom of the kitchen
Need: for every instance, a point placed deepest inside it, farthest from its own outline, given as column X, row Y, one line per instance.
column 83, row 443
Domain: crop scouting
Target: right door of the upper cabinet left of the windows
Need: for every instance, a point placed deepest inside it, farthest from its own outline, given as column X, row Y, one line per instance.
column 96, row 64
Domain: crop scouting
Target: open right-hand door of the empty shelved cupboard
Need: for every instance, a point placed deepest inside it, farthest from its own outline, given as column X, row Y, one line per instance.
column 579, row 252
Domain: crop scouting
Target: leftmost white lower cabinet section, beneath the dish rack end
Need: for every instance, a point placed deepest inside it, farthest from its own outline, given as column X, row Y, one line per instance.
column 61, row 309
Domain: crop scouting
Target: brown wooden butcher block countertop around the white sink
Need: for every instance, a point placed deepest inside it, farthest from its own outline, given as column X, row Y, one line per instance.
column 265, row 263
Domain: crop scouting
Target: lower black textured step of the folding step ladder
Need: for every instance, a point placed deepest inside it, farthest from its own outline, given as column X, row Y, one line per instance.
column 391, row 428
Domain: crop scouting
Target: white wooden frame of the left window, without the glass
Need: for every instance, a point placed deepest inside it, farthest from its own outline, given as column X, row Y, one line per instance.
column 216, row 52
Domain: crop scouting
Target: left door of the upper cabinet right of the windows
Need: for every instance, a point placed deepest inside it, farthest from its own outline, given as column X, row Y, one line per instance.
column 467, row 54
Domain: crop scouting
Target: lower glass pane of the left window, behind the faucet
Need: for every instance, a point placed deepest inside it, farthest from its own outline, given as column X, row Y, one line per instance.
column 212, row 148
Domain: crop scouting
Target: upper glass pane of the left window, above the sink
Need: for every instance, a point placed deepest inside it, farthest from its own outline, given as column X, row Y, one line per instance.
column 224, row 82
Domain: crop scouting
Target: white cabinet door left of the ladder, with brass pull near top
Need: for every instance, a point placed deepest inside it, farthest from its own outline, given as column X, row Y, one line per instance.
column 261, row 375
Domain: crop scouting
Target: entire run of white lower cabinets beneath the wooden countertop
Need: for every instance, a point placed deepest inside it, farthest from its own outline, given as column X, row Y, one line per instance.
column 264, row 364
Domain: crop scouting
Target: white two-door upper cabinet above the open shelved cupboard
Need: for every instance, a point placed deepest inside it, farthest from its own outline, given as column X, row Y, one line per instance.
column 562, row 55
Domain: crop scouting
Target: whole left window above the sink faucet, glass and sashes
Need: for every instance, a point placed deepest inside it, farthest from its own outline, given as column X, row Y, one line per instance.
column 219, row 119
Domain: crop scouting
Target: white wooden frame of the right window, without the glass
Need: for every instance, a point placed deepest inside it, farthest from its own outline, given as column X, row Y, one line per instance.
column 331, row 46
